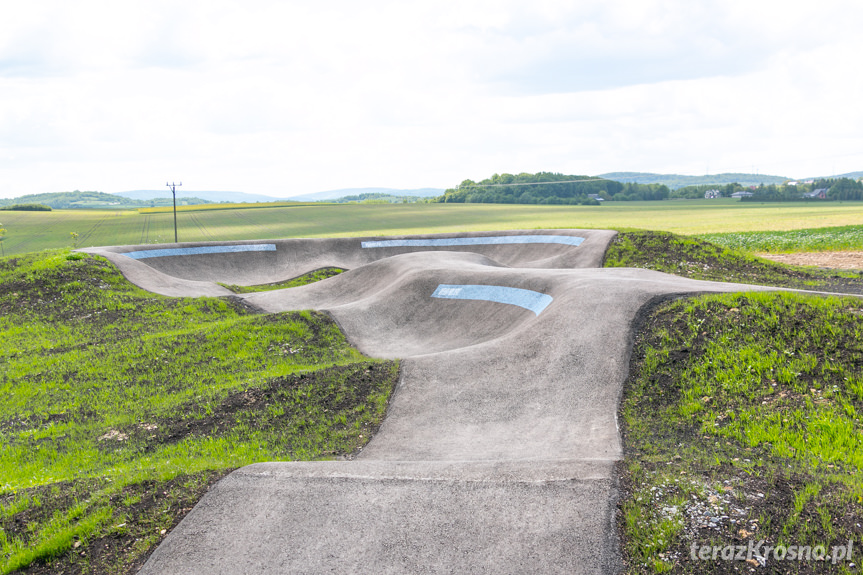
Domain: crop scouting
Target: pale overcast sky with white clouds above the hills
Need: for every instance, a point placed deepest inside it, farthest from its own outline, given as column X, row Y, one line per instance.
column 289, row 97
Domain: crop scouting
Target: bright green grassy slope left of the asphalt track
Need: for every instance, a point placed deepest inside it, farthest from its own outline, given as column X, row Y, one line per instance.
column 120, row 407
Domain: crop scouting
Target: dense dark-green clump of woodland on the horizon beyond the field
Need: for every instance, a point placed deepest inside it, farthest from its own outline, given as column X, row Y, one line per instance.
column 550, row 188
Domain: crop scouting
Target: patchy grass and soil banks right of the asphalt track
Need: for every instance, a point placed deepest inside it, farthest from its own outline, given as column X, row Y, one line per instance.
column 741, row 419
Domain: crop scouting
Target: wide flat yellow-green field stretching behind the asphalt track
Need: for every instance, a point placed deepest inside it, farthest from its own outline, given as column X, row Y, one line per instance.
column 33, row 231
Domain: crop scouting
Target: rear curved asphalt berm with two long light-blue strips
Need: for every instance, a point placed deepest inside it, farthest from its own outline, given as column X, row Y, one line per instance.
column 192, row 269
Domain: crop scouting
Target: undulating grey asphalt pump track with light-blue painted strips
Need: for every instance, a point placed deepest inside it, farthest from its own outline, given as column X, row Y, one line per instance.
column 498, row 451
